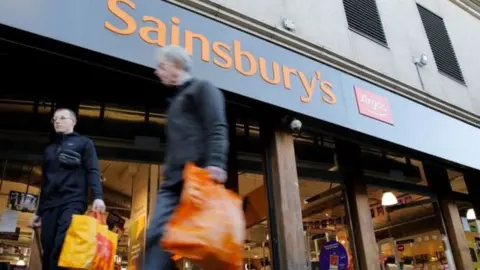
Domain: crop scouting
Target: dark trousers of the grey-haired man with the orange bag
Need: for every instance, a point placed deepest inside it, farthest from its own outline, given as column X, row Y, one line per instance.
column 168, row 198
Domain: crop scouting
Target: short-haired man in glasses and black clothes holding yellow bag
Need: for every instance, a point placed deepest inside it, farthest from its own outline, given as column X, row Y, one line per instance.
column 70, row 166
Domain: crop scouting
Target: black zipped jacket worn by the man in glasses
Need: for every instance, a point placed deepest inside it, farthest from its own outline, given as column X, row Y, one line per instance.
column 68, row 181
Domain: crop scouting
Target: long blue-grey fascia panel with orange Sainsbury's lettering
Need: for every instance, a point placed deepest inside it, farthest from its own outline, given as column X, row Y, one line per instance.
column 243, row 64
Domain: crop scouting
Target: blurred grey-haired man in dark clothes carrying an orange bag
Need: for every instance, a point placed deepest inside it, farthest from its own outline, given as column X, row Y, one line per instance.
column 196, row 130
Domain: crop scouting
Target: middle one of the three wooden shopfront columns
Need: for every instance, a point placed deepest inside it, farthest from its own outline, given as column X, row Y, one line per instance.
column 349, row 161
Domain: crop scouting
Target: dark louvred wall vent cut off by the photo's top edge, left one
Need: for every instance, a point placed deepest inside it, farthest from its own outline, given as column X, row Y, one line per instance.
column 363, row 17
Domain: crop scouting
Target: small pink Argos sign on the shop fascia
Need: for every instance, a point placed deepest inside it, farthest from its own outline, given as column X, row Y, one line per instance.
column 373, row 105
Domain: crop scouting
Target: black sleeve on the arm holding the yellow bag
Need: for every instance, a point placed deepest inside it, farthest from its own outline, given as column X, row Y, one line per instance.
column 90, row 161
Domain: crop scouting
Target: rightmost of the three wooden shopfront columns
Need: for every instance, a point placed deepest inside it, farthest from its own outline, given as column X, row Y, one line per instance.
column 437, row 179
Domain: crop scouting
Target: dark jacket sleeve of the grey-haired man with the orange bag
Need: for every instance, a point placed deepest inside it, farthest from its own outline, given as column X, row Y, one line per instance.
column 211, row 105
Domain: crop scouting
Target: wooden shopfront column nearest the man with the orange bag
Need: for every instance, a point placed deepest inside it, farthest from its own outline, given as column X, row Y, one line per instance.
column 285, row 215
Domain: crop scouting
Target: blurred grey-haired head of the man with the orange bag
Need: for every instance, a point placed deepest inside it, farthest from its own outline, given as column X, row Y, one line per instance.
column 173, row 64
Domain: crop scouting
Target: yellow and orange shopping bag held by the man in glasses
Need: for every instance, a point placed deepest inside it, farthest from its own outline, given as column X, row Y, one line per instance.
column 89, row 244
